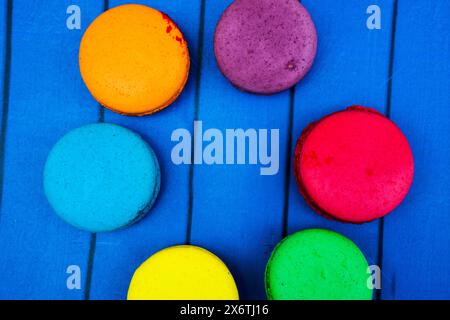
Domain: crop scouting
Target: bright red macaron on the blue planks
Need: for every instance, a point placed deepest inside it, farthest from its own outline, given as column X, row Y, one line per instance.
column 354, row 165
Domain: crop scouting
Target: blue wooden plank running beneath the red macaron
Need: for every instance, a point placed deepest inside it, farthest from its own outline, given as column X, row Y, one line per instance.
column 351, row 69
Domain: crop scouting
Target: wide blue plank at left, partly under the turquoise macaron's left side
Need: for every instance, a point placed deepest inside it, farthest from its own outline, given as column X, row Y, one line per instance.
column 46, row 101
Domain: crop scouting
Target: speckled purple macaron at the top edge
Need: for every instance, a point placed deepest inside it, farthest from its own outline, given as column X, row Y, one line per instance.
column 265, row 46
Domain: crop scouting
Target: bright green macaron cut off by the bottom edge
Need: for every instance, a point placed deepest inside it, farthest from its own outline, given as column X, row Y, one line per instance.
column 317, row 264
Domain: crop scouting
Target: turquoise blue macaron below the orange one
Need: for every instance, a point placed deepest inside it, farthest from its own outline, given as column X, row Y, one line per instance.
column 101, row 177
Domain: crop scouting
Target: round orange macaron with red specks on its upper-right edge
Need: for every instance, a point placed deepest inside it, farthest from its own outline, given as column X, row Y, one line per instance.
column 134, row 60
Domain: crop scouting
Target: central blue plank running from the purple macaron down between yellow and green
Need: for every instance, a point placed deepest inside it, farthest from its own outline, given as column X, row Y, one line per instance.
column 237, row 213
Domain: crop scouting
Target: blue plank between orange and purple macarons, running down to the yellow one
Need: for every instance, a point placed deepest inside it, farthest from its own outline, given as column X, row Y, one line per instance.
column 118, row 254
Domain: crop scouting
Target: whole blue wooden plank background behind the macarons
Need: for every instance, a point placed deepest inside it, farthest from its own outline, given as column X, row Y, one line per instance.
column 403, row 70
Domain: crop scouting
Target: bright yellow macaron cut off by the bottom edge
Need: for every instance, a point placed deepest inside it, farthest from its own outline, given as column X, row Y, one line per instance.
column 183, row 273
